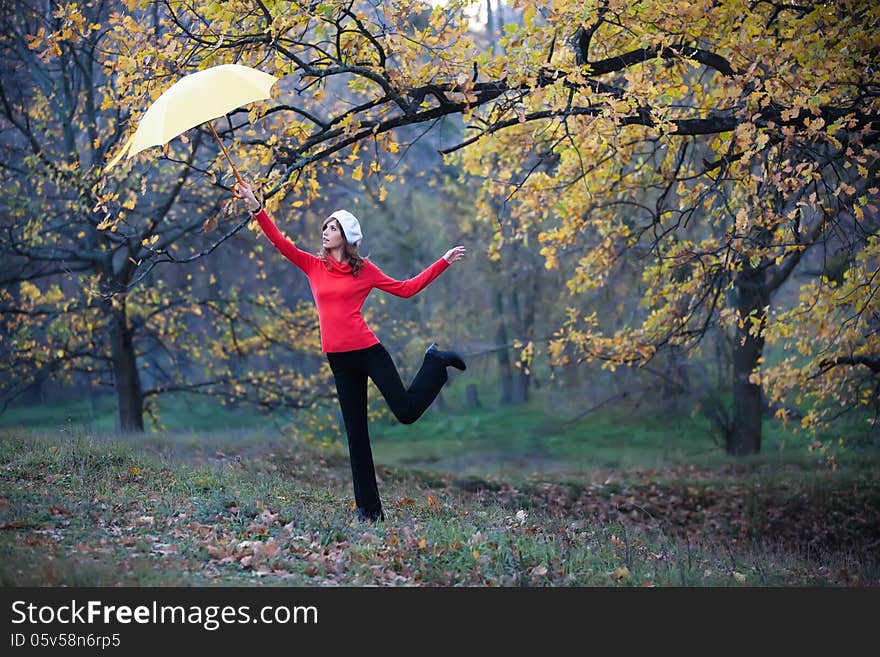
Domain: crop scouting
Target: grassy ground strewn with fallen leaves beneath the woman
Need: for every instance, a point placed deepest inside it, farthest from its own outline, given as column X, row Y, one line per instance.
column 491, row 498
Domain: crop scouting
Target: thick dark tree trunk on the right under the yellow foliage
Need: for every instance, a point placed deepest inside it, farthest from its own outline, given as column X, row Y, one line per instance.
column 752, row 296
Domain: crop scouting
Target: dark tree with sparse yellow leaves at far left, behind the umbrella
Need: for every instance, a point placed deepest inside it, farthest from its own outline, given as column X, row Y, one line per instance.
column 80, row 300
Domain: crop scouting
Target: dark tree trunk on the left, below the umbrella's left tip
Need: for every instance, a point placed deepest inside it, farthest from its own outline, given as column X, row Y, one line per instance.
column 129, row 395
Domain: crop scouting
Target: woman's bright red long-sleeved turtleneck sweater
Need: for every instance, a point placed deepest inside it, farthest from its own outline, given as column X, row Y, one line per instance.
column 340, row 296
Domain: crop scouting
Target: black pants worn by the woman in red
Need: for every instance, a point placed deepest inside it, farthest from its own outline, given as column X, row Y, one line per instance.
column 350, row 371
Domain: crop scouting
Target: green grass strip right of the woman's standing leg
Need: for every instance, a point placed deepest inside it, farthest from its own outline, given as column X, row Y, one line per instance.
column 528, row 440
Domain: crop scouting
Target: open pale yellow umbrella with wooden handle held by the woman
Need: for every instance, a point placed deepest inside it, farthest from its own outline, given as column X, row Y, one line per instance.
column 197, row 98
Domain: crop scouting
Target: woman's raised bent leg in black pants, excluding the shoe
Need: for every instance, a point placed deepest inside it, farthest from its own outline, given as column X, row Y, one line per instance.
column 408, row 405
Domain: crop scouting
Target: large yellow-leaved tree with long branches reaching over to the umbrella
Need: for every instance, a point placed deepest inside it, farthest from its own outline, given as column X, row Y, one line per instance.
column 712, row 145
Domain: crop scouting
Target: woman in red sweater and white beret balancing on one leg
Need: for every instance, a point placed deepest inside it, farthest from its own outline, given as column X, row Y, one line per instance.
column 341, row 280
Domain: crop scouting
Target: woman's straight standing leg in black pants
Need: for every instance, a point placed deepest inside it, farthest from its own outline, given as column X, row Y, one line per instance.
column 351, row 387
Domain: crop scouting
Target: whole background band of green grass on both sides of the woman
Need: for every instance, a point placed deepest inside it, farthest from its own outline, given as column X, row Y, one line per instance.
column 511, row 441
